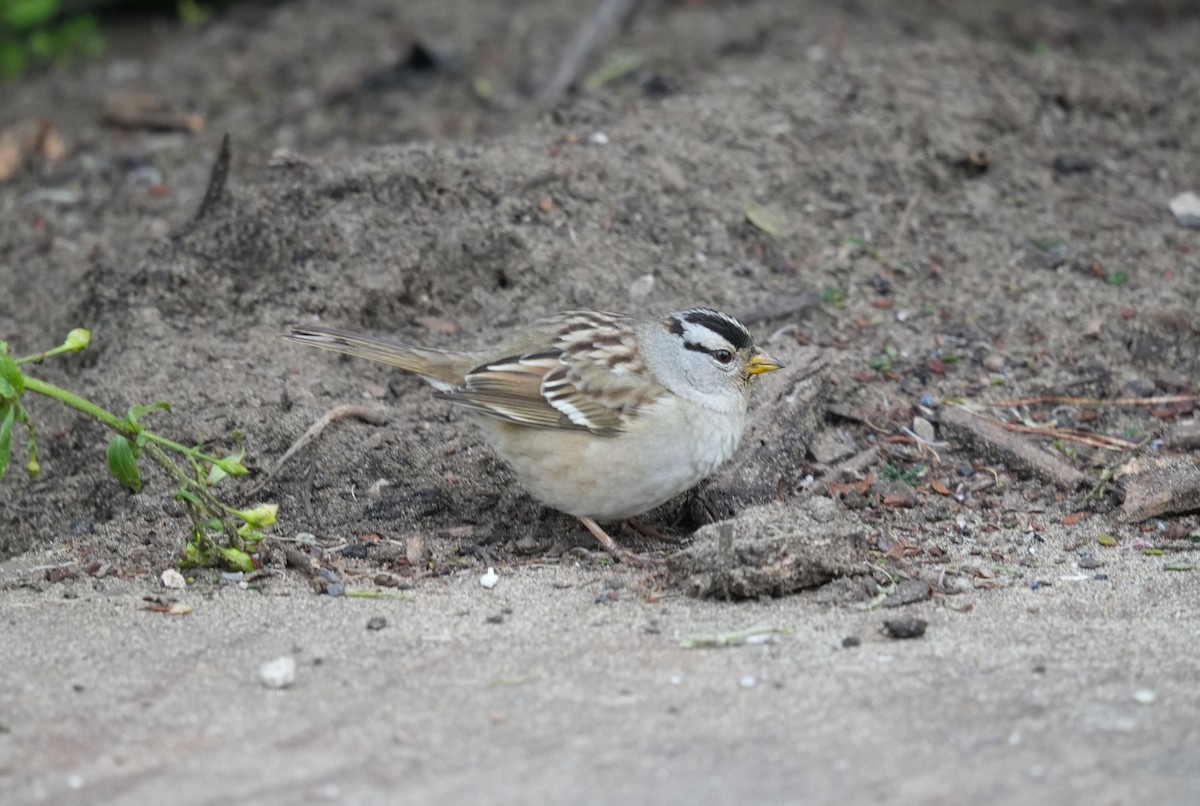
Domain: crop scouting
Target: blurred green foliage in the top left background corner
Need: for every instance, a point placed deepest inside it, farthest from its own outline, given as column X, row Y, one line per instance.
column 32, row 33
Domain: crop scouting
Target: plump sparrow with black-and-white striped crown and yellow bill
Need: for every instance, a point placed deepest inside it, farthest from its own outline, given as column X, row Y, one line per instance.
column 602, row 416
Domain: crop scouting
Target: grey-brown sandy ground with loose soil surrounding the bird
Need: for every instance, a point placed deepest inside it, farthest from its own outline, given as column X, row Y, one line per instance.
column 976, row 195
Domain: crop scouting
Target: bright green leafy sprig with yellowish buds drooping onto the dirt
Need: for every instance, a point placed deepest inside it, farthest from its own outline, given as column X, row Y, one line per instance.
column 219, row 533
